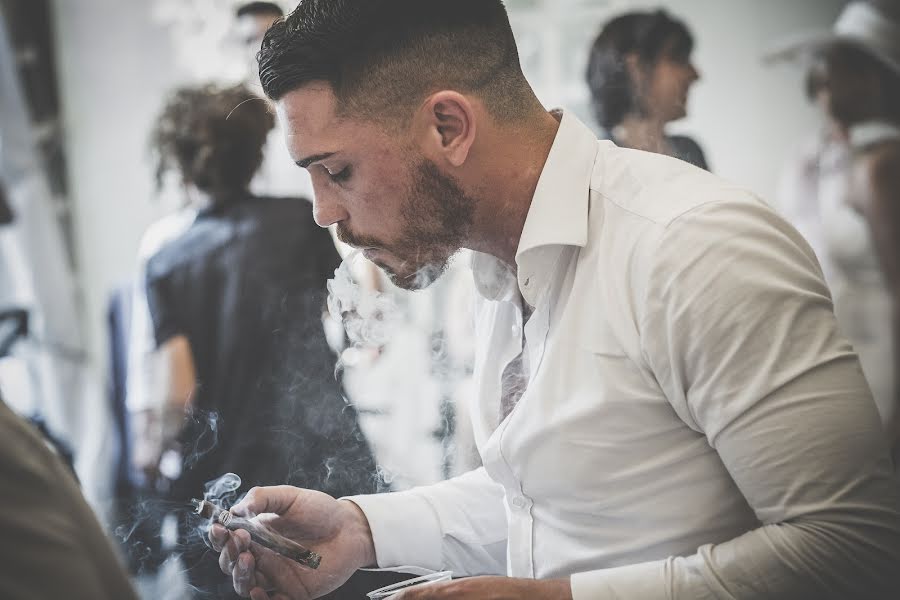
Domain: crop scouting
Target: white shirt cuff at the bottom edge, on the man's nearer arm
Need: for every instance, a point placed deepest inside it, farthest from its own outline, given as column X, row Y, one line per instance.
column 644, row 581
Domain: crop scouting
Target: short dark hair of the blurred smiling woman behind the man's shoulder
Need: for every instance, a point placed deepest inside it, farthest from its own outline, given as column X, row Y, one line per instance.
column 649, row 36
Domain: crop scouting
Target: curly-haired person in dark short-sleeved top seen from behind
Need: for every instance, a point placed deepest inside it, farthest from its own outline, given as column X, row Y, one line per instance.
column 236, row 304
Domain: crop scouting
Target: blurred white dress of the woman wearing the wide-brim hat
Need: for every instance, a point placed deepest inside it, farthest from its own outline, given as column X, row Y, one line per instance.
column 851, row 265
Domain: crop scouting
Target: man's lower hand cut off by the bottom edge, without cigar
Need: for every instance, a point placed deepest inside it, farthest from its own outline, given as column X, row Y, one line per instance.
column 491, row 588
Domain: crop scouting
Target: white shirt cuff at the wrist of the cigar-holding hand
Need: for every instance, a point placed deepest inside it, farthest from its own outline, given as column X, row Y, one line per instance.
column 405, row 529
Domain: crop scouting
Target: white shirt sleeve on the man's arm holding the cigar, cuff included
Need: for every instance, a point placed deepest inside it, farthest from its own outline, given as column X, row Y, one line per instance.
column 458, row 525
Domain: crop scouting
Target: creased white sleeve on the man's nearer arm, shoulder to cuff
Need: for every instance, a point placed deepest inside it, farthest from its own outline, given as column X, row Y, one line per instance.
column 739, row 330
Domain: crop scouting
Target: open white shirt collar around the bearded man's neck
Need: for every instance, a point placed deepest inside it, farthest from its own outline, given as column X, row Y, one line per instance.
column 558, row 216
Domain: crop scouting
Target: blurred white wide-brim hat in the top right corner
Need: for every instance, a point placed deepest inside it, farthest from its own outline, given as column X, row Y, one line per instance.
column 859, row 24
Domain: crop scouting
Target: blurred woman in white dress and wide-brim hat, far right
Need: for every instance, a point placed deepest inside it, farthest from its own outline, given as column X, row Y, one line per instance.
column 843, row 191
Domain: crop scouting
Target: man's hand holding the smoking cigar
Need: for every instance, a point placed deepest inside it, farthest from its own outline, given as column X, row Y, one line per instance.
column 336, row 529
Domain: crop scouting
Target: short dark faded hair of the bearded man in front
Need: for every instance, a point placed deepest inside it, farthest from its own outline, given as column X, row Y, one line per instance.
column 382, row 57
